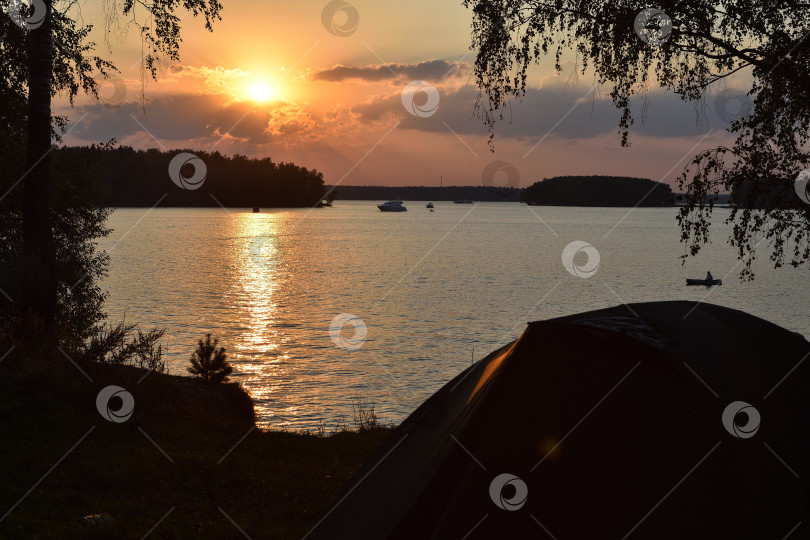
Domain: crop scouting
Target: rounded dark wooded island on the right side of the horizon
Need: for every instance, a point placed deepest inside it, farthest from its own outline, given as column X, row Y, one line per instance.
column 598, row 191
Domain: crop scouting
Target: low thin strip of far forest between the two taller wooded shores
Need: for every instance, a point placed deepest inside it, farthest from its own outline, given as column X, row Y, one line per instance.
column 423, row 193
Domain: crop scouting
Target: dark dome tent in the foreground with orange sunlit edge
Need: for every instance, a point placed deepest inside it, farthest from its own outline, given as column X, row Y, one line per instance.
column 653, row 420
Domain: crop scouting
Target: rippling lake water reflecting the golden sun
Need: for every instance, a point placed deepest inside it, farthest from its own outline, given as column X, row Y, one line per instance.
column 434, row 290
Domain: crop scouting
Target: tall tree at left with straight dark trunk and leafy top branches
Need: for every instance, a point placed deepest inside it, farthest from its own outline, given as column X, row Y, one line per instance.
column 57, row 59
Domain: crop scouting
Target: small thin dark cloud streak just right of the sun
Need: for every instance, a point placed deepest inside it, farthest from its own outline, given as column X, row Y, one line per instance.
column 432, row 70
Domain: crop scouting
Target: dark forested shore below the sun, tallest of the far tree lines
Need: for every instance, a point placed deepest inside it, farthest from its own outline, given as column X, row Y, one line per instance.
column 141, row 178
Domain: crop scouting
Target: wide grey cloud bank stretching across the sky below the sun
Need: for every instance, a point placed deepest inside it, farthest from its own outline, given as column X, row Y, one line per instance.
column 559, row 112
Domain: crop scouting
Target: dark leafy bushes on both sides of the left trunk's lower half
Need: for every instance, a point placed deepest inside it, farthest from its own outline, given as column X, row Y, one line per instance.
column 78, row 223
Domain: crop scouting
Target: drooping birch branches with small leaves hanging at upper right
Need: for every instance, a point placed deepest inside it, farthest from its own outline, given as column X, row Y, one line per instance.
column 706, row 43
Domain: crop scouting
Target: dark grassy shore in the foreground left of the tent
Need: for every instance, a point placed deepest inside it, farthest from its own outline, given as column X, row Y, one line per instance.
column 188, row 463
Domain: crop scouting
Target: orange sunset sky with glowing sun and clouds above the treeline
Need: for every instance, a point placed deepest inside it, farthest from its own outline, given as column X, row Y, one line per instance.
column 272, row 80
